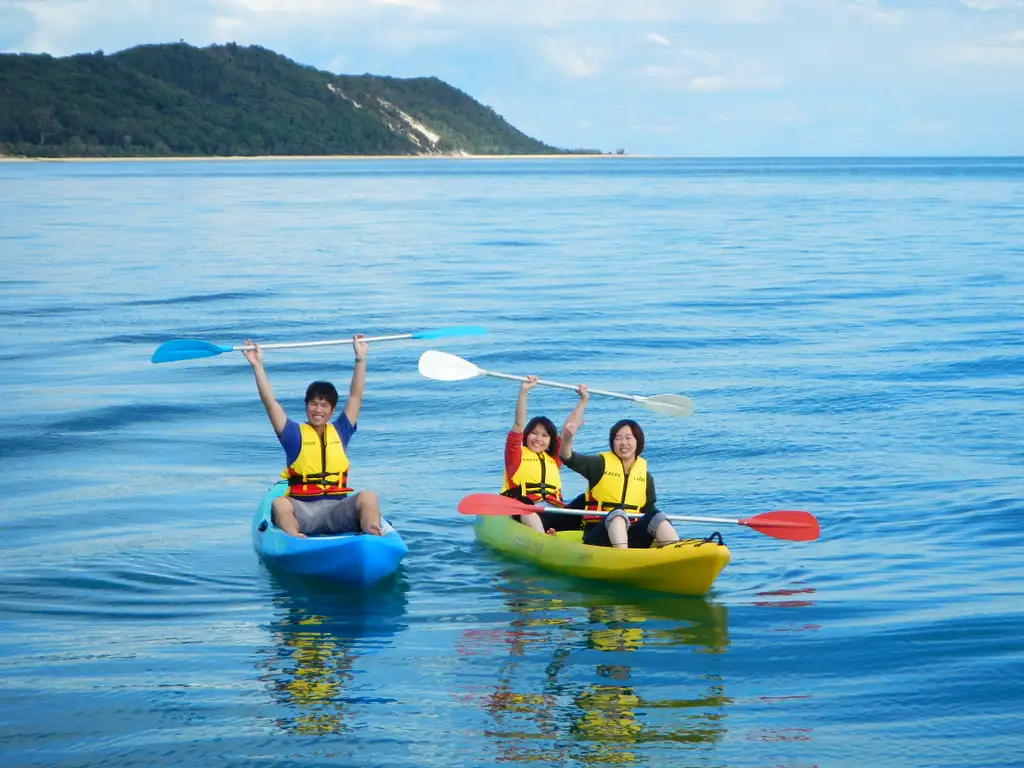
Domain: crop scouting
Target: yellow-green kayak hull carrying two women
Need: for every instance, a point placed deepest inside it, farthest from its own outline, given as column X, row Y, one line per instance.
column 688, row 568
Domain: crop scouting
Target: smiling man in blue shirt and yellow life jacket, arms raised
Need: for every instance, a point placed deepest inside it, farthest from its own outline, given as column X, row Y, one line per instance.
column 319, row 499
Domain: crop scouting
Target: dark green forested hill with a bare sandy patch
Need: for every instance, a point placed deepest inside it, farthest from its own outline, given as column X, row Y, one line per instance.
column 231, row 100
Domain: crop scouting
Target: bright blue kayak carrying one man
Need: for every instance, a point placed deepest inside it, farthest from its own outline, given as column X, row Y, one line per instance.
column 348, row 560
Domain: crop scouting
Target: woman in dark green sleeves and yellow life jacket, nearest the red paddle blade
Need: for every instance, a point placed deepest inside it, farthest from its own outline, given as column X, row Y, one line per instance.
column 620, row 490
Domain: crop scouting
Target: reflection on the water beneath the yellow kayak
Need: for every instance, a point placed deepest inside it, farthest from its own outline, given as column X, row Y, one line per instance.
column 591, row 706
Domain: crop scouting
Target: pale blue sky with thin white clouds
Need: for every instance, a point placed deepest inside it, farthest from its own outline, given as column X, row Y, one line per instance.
column 681, row 78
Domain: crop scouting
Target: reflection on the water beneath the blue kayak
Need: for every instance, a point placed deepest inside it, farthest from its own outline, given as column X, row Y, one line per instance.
column 319, row 638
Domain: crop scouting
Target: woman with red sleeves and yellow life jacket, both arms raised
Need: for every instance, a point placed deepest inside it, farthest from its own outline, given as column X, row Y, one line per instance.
column 532, row 464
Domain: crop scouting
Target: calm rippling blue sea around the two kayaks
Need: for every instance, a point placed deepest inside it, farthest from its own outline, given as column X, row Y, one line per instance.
column 851, row 332
